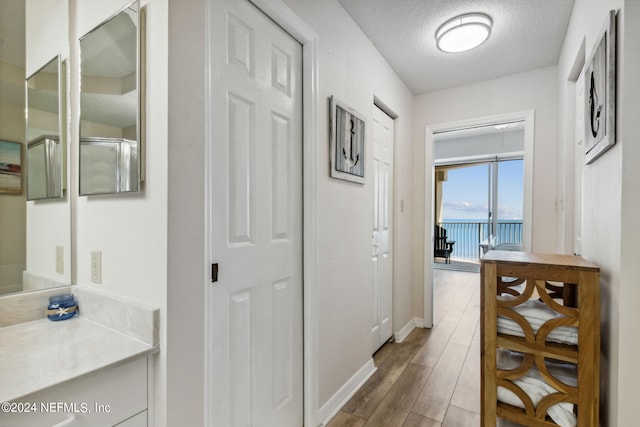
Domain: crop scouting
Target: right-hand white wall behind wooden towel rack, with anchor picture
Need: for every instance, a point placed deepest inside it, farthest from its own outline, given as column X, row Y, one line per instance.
column 610, row 205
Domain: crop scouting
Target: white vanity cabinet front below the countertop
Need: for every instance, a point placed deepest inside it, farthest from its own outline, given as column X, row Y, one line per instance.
column 113, row 396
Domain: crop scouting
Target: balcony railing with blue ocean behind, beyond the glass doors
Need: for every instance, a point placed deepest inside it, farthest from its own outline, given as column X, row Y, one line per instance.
column 469, row 234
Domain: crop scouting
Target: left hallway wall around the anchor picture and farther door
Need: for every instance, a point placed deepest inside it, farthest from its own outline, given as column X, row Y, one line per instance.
column 351, row 69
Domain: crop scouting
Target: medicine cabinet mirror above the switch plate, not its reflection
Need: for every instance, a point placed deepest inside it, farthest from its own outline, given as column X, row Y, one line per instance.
column 110, row 143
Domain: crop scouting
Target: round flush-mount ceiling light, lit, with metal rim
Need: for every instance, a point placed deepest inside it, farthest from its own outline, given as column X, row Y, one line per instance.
column 463, row 32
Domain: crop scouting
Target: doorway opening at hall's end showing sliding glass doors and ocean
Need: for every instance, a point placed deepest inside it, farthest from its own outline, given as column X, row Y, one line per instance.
column 478, row 193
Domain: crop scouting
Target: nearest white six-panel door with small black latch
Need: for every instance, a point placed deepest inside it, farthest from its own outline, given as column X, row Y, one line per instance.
column 255, row 309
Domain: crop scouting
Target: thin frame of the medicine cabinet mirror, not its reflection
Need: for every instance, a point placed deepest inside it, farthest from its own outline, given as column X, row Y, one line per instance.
column 140, row 108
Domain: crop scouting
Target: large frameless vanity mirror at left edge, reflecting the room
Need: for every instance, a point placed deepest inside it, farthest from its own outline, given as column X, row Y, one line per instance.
column 35, row 236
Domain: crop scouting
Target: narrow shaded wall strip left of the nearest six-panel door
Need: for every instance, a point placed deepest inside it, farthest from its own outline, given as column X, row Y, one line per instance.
column 186, row 264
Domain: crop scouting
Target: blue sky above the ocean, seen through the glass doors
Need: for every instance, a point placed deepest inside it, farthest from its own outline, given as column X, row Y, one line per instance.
column 465, row 193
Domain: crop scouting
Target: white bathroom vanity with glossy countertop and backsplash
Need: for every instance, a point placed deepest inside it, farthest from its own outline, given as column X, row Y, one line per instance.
column 94, row 369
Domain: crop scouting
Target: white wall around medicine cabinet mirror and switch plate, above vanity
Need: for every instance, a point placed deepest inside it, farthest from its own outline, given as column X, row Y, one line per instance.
column 129, row 229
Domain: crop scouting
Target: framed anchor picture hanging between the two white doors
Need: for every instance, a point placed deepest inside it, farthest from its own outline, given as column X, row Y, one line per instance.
column 347, row 143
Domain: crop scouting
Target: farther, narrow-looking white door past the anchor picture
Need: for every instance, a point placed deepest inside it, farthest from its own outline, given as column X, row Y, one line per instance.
column 382, row 239
